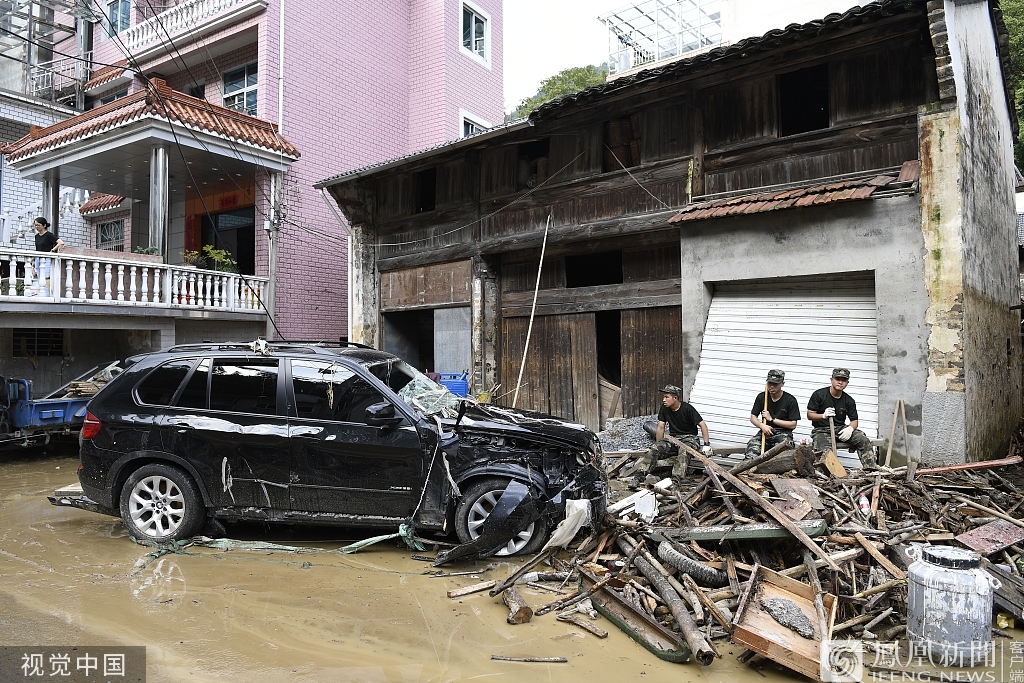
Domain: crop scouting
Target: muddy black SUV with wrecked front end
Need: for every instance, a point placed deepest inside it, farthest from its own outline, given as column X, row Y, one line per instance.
column 306, row 434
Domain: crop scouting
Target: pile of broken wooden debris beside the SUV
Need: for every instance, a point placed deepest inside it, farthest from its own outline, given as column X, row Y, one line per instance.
column 781, row 552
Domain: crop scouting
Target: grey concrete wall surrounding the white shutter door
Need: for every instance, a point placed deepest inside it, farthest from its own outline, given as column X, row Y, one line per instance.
column 883, row 236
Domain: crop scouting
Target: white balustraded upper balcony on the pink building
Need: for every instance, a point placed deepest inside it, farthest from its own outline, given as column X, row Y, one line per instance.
column 185, row 24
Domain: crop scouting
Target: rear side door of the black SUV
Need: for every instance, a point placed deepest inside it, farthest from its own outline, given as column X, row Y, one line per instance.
column 229, row 421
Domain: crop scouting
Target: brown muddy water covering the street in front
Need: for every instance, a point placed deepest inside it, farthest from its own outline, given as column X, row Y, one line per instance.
column 70, row 578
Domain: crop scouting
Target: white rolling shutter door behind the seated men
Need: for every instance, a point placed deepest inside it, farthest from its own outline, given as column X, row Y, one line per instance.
column 804, row 327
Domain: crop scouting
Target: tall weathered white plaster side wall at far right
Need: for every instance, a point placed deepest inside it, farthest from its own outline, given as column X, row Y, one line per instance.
column 992, row 335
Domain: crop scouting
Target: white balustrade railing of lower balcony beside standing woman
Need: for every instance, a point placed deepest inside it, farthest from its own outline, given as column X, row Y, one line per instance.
column 29, row 276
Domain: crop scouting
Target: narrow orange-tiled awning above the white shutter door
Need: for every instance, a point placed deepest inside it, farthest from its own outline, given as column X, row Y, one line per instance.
column 837, row 191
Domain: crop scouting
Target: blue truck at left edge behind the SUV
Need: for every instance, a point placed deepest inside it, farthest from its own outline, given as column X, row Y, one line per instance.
column 26, row 421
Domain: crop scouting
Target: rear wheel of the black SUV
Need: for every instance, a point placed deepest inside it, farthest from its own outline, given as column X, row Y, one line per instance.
column 161, row 503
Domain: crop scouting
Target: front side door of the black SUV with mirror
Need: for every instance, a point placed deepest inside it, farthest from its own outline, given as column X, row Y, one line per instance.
column 340, row 464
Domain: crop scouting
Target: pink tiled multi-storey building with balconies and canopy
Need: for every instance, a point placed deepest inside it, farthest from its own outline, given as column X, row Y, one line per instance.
column 205, row 126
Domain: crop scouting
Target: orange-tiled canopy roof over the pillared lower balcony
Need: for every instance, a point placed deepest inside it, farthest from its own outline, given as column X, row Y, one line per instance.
column 157, row 102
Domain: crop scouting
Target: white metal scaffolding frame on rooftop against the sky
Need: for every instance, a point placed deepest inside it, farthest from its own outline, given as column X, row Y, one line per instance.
column 654, row 31
